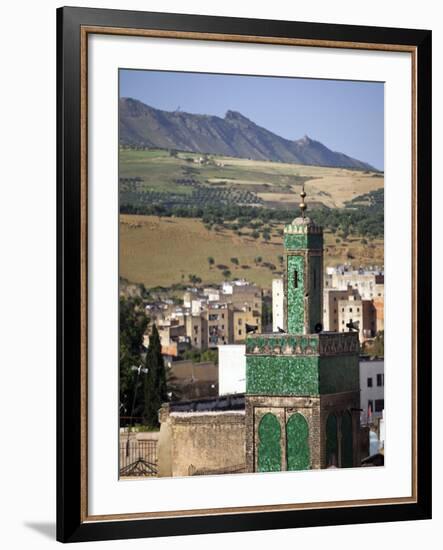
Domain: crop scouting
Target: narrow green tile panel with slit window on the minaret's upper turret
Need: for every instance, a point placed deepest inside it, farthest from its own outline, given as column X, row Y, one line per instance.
column 295, row 294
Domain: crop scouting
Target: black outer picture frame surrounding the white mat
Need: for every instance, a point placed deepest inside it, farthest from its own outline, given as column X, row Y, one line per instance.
column 72, row 526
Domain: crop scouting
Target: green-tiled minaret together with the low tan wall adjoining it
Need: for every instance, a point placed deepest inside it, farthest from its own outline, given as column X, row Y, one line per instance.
column 301, row 406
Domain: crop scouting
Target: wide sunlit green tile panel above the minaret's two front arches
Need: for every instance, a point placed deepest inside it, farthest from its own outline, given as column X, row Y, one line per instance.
column 279, row 375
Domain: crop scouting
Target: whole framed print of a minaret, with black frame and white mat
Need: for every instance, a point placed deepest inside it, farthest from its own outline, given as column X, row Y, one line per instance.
column 243, row 212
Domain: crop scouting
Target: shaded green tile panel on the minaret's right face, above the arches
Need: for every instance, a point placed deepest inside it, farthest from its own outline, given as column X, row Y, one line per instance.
column 339, row 374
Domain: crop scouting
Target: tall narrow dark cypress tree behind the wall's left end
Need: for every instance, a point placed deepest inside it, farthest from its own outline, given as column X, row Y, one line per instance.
column 155, row 380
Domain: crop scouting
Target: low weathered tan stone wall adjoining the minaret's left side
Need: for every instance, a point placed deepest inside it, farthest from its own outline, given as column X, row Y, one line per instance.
column 196, row 442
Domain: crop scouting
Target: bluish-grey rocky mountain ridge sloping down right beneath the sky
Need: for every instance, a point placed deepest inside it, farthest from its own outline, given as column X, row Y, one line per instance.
column 233, row 135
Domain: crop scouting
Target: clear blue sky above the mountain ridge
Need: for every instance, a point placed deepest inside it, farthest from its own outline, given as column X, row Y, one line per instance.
column 345, row 116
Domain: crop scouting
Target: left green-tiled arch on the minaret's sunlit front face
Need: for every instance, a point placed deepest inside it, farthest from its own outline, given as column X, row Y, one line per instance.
column 269, row 451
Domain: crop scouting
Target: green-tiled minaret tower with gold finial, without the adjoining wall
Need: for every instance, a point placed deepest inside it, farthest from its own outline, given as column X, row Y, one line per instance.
column 302, row 384
